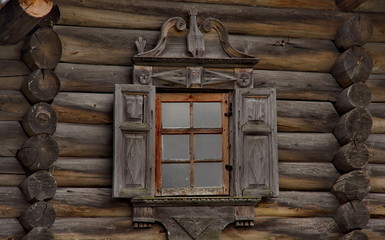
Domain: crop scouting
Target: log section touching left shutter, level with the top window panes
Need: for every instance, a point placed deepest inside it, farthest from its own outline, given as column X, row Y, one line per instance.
column 84, row 108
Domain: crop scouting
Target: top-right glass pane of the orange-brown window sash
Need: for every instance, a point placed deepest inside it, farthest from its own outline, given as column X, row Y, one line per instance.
column 207, row 115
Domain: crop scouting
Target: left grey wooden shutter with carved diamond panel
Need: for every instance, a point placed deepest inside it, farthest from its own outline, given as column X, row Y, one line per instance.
column 134, row 136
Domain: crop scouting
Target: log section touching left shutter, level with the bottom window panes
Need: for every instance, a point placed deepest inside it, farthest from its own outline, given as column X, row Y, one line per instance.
column 83, row 172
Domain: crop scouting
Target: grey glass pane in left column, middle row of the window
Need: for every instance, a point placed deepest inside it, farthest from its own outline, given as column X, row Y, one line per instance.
column 175, row 147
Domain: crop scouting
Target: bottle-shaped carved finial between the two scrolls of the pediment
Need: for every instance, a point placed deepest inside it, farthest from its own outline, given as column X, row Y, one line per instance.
column 195, row 40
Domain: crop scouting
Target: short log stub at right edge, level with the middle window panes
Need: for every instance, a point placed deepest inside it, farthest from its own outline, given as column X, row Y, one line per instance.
column 376, row 146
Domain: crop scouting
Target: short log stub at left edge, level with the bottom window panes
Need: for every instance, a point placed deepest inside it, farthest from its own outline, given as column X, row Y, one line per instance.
column 11, row 172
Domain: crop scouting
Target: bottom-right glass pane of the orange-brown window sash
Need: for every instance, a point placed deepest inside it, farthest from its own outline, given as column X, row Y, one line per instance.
column 208, row 175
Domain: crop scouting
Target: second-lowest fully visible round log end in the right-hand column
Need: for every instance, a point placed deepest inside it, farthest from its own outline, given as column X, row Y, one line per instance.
column 352, row 186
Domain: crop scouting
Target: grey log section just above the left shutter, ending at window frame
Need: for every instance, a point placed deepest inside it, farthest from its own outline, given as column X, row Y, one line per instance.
column 91, row 78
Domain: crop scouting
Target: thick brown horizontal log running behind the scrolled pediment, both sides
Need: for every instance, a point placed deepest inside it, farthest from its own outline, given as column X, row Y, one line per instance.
column 114, row 45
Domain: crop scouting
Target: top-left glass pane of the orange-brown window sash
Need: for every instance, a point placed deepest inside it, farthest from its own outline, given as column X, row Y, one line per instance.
column 175, row 115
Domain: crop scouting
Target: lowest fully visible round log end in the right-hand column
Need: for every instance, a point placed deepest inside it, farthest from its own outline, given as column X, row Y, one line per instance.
column 351, row 216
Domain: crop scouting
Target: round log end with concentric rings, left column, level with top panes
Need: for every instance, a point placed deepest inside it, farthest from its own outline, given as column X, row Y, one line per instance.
column 40, row 118
